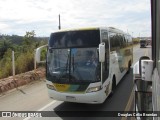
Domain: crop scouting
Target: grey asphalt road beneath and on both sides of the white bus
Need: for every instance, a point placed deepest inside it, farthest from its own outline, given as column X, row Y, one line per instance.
column 34, row 97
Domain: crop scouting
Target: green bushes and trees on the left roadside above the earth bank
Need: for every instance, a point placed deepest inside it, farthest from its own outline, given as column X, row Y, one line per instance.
column 24, row 52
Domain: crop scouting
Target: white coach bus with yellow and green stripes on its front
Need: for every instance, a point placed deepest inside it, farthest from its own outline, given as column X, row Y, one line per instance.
column 85, row 65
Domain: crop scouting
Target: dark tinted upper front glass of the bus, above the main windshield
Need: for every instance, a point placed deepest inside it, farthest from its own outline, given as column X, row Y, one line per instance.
column 85, row 38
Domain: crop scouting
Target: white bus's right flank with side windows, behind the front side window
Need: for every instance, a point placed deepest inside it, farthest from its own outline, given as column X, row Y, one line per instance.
column 121, row 54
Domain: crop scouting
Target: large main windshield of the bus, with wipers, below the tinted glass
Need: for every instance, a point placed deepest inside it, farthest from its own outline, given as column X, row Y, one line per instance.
column 73, row 65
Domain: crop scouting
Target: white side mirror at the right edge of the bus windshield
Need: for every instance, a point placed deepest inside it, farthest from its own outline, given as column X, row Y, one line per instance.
column 102, row 52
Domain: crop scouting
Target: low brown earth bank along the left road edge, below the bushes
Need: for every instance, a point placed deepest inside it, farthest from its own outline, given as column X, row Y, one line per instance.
column 21, row 79
